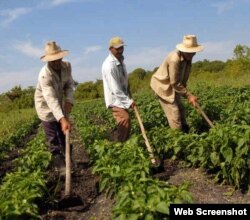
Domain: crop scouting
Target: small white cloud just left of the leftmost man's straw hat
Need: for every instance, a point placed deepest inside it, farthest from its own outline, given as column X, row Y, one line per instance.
column 28, row 49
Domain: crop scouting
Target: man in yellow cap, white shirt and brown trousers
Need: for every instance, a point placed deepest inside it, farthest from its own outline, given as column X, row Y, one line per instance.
column 116, row 89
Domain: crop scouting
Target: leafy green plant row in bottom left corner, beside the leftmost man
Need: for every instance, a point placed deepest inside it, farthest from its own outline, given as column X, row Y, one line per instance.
column 21, row 189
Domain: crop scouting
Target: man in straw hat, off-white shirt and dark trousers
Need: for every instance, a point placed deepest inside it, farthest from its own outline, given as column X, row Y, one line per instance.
column 54, row 98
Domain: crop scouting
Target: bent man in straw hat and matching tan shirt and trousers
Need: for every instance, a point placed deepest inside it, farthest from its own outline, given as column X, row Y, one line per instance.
column 169, row 82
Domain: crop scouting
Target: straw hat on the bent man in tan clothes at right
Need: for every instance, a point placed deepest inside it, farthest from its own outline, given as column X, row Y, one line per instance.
column 189, row 44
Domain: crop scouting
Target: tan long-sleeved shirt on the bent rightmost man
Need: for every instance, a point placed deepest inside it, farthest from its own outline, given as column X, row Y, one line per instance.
column 171, row 77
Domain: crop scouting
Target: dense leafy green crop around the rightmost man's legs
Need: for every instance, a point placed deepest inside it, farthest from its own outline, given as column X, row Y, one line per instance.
column 222, row 150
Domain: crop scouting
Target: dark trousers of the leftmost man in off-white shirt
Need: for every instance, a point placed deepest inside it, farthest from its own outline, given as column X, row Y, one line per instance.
column 55, row 136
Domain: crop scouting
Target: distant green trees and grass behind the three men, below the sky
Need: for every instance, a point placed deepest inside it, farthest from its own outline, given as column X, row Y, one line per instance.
column 235, row 71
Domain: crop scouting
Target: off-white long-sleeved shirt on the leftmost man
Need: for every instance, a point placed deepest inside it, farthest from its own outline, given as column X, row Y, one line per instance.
column 52, row 90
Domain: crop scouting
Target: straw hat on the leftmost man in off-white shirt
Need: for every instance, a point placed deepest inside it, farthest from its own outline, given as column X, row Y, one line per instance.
column 53, row 52
